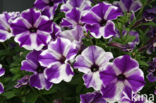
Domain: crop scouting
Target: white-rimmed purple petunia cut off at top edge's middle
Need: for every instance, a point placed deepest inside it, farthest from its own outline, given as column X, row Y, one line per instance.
column 82, row 5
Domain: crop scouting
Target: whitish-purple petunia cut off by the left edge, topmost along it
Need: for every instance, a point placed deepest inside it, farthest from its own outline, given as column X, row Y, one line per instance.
column 5, row 19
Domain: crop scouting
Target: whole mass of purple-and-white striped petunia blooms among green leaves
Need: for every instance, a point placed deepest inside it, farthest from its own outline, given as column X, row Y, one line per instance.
column 55, row 51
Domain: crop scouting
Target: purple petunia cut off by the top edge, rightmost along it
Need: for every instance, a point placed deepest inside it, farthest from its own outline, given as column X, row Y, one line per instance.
column 129, row 5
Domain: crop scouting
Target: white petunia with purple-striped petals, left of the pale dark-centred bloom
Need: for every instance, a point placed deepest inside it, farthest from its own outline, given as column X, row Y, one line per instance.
column 57, row 59
